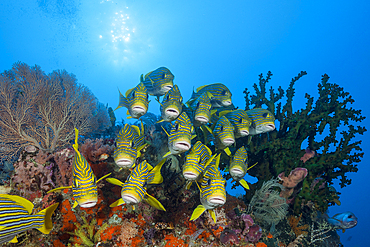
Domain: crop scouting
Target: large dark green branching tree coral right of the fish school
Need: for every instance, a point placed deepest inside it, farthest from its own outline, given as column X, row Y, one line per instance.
column 280, row 150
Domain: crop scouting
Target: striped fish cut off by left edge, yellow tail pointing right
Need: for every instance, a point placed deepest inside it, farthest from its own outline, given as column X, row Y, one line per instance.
column 16, row 217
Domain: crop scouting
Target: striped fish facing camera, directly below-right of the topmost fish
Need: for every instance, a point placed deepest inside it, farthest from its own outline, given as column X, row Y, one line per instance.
column 171, row 105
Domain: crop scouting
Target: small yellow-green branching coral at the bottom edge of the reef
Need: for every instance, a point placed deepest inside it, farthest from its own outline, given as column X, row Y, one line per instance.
column 86, row 233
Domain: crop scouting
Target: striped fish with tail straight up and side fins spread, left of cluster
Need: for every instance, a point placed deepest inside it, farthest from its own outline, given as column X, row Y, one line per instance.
column 84, row 181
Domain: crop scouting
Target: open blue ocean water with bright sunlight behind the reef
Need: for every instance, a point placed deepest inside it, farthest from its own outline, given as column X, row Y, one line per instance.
column 108, row 44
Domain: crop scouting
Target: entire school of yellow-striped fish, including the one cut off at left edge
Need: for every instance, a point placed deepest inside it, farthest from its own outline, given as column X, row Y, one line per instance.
column 208, row 119
